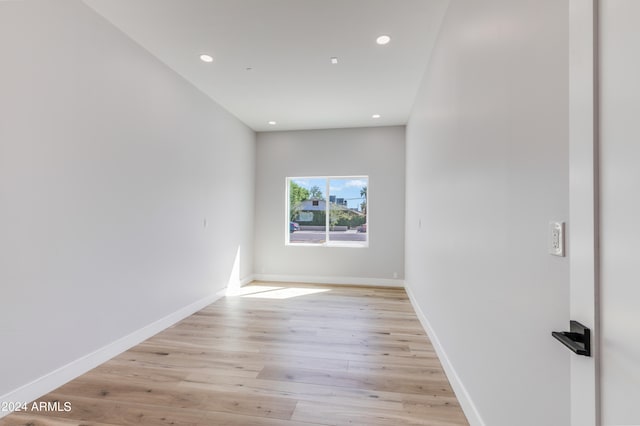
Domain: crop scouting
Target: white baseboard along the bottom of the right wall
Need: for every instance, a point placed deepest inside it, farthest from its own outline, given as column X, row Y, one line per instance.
column 469, row 408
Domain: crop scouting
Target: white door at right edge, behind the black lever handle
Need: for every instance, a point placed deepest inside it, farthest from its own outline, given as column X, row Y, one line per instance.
column 605, row 209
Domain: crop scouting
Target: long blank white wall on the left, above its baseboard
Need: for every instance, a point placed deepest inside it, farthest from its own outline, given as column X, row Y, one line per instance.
column 109, row 165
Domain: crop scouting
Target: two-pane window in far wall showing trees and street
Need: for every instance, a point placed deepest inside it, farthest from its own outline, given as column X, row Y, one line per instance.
column 329, row 211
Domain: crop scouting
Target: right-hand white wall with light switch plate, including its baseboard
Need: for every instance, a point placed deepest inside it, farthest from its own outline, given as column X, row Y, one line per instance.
column 487, row 169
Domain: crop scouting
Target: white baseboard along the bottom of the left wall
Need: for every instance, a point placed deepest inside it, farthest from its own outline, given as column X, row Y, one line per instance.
column 53, row 380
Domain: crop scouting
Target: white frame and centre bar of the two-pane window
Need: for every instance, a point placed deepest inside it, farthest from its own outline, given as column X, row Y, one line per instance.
column 327, row 243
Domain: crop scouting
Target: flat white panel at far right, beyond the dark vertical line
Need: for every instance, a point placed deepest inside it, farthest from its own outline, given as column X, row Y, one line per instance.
column 620, row 209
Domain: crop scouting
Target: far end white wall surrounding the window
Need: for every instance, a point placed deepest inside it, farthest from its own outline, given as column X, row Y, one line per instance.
column 377, row 152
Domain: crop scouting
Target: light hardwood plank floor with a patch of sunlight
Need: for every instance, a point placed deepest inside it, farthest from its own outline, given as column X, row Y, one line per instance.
column 278, row 354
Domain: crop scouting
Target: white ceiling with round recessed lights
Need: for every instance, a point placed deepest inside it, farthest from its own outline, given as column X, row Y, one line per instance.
column 287, row 44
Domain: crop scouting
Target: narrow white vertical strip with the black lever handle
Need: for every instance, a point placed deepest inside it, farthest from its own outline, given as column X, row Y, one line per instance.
column 583, row 244
